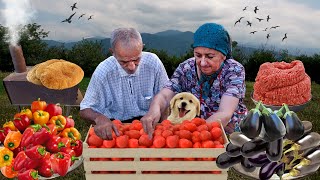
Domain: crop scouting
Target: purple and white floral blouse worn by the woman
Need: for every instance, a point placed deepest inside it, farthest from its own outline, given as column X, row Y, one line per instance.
column 230, row 82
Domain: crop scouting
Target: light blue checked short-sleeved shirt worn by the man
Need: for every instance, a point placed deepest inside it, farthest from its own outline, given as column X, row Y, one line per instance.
column 122, row 96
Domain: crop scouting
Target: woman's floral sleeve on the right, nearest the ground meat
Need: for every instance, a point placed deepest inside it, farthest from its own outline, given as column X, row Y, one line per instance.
column 235, row 81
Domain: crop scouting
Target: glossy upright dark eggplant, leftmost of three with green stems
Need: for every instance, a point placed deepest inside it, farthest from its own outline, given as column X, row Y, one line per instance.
column 251, row 125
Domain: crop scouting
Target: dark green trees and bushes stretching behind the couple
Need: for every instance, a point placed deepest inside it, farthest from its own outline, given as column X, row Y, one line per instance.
column 88, row 54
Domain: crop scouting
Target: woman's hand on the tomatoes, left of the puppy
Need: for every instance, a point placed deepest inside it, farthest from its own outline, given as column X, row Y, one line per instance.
column 149, row 122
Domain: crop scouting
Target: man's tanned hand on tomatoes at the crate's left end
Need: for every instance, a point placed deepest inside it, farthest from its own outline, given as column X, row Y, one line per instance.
column 104, row 127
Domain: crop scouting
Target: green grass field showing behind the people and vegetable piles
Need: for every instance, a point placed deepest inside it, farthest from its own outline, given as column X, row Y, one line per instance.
column 310, row 113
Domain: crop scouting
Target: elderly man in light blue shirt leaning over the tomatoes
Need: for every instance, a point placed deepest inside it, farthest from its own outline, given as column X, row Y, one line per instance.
column 123, row 85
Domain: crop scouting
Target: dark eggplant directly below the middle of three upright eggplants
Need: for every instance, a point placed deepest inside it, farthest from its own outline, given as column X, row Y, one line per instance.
column 274, row 150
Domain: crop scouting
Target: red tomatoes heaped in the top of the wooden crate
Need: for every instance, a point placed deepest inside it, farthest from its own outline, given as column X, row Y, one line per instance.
column 196, row 133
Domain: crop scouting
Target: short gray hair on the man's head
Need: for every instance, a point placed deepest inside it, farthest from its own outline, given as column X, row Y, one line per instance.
column 125, row 35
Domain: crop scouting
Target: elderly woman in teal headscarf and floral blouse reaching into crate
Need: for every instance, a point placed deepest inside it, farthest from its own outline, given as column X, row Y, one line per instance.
column 216, row 79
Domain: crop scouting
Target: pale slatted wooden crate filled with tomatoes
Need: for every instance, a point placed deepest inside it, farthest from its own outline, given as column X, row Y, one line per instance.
column 98, row 166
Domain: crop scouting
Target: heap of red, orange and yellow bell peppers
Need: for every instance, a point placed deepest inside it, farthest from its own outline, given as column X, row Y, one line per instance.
column 39, row 141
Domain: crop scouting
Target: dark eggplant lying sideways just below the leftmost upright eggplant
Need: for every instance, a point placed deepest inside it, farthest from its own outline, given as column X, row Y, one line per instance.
column 253, row 147
